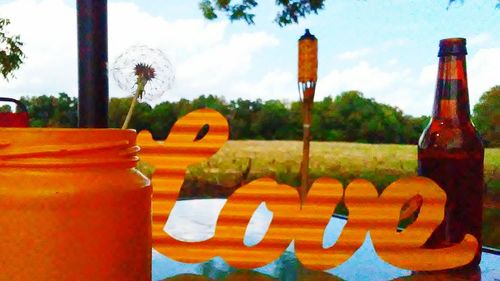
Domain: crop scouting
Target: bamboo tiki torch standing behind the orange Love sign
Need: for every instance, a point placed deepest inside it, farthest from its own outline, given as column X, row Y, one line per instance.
column 308, row 75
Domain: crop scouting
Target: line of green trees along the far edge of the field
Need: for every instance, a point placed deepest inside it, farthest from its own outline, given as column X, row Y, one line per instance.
column 349, row 117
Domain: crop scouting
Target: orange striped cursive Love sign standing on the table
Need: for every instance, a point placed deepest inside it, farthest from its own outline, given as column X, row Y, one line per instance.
column 368, row 212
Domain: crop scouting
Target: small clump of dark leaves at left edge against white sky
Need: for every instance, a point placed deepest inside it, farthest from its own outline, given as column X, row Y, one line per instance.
column 11, row 55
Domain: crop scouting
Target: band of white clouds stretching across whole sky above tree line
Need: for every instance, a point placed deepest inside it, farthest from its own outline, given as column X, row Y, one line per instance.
column 209, row 57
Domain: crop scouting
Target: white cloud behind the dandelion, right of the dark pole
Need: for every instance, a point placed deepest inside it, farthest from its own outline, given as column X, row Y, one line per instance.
column 204, row 55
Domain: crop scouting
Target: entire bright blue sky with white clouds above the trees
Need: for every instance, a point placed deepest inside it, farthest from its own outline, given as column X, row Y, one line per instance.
column 385, row 49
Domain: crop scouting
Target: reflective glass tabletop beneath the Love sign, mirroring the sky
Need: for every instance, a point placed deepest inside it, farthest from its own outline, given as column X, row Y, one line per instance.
column 194, row 220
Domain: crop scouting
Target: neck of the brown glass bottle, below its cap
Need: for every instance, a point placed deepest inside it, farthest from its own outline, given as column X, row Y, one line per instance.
column 452, row 96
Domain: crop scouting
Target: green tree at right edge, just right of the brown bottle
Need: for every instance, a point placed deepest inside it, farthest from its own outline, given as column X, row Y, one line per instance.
column 487, row 116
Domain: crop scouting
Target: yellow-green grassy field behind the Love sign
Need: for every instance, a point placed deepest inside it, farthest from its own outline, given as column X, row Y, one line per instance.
column 239, row 162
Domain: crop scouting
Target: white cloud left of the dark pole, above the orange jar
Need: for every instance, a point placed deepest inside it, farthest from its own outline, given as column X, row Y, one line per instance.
column 48, row 31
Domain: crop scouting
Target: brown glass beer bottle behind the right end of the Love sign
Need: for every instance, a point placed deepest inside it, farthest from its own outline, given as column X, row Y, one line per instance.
column 451, row 153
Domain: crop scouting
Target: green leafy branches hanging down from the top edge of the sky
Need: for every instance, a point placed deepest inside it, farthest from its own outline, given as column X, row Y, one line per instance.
column 290, row 10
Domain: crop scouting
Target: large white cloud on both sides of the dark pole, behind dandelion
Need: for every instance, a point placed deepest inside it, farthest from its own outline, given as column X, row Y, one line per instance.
column 204, row 54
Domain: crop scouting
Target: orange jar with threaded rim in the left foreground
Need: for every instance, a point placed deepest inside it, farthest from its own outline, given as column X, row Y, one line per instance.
column 72, row 206
